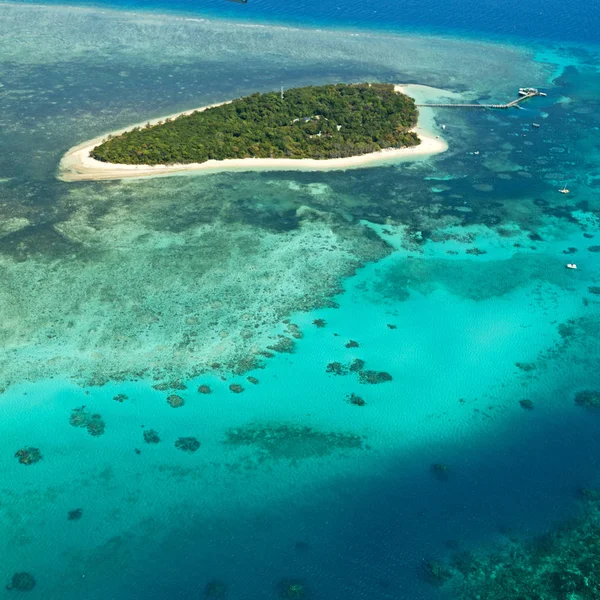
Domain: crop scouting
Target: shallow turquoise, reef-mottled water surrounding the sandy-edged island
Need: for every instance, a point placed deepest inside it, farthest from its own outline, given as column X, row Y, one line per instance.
column 448, row 274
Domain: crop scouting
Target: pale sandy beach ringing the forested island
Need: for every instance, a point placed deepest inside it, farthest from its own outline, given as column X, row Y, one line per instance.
column 78, row 165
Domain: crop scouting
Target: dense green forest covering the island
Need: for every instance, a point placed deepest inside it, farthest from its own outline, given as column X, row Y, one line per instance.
column 329, row 121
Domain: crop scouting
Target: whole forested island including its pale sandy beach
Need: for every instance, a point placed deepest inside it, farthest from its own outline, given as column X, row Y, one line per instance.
column 330, row 126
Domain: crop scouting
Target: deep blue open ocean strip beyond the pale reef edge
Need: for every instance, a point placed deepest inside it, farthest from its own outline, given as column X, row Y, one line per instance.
column 551, row 20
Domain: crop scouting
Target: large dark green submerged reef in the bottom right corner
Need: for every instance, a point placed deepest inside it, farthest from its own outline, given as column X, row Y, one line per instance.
column 562, row 565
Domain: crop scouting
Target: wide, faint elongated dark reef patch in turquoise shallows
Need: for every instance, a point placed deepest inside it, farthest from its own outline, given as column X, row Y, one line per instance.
column 292, row 442
